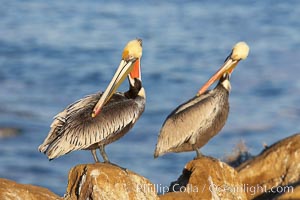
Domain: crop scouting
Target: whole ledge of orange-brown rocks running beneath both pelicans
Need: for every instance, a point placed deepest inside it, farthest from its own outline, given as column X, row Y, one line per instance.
column 273, row 174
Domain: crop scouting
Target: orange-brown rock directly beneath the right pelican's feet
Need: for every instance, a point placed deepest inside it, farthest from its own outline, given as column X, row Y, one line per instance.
column 206, row 178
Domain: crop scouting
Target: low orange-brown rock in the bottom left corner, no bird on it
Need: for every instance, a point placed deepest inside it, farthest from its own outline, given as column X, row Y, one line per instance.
column 12, row 190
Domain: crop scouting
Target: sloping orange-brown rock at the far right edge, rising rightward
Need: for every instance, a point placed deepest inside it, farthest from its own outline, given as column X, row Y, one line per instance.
column 277, row 166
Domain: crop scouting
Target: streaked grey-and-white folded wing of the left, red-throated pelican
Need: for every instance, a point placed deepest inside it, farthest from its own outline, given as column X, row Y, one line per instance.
column 75, row 129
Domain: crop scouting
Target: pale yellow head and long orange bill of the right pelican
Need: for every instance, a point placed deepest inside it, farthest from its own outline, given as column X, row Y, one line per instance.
column 239, row 52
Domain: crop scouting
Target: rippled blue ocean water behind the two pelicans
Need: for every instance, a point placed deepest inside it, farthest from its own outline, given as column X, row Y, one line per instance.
column 53, row 53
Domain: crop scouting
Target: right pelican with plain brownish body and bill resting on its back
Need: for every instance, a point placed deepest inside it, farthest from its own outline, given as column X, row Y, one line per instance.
column 192, row 124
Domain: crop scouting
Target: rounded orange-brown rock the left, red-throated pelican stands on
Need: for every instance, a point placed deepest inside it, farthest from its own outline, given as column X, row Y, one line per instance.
column 107, row 181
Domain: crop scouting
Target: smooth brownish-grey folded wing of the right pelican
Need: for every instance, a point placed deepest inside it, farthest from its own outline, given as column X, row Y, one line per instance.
column 187, row 121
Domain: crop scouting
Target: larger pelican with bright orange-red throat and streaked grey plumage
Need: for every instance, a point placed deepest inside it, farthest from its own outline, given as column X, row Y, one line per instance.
column 100, row 119
